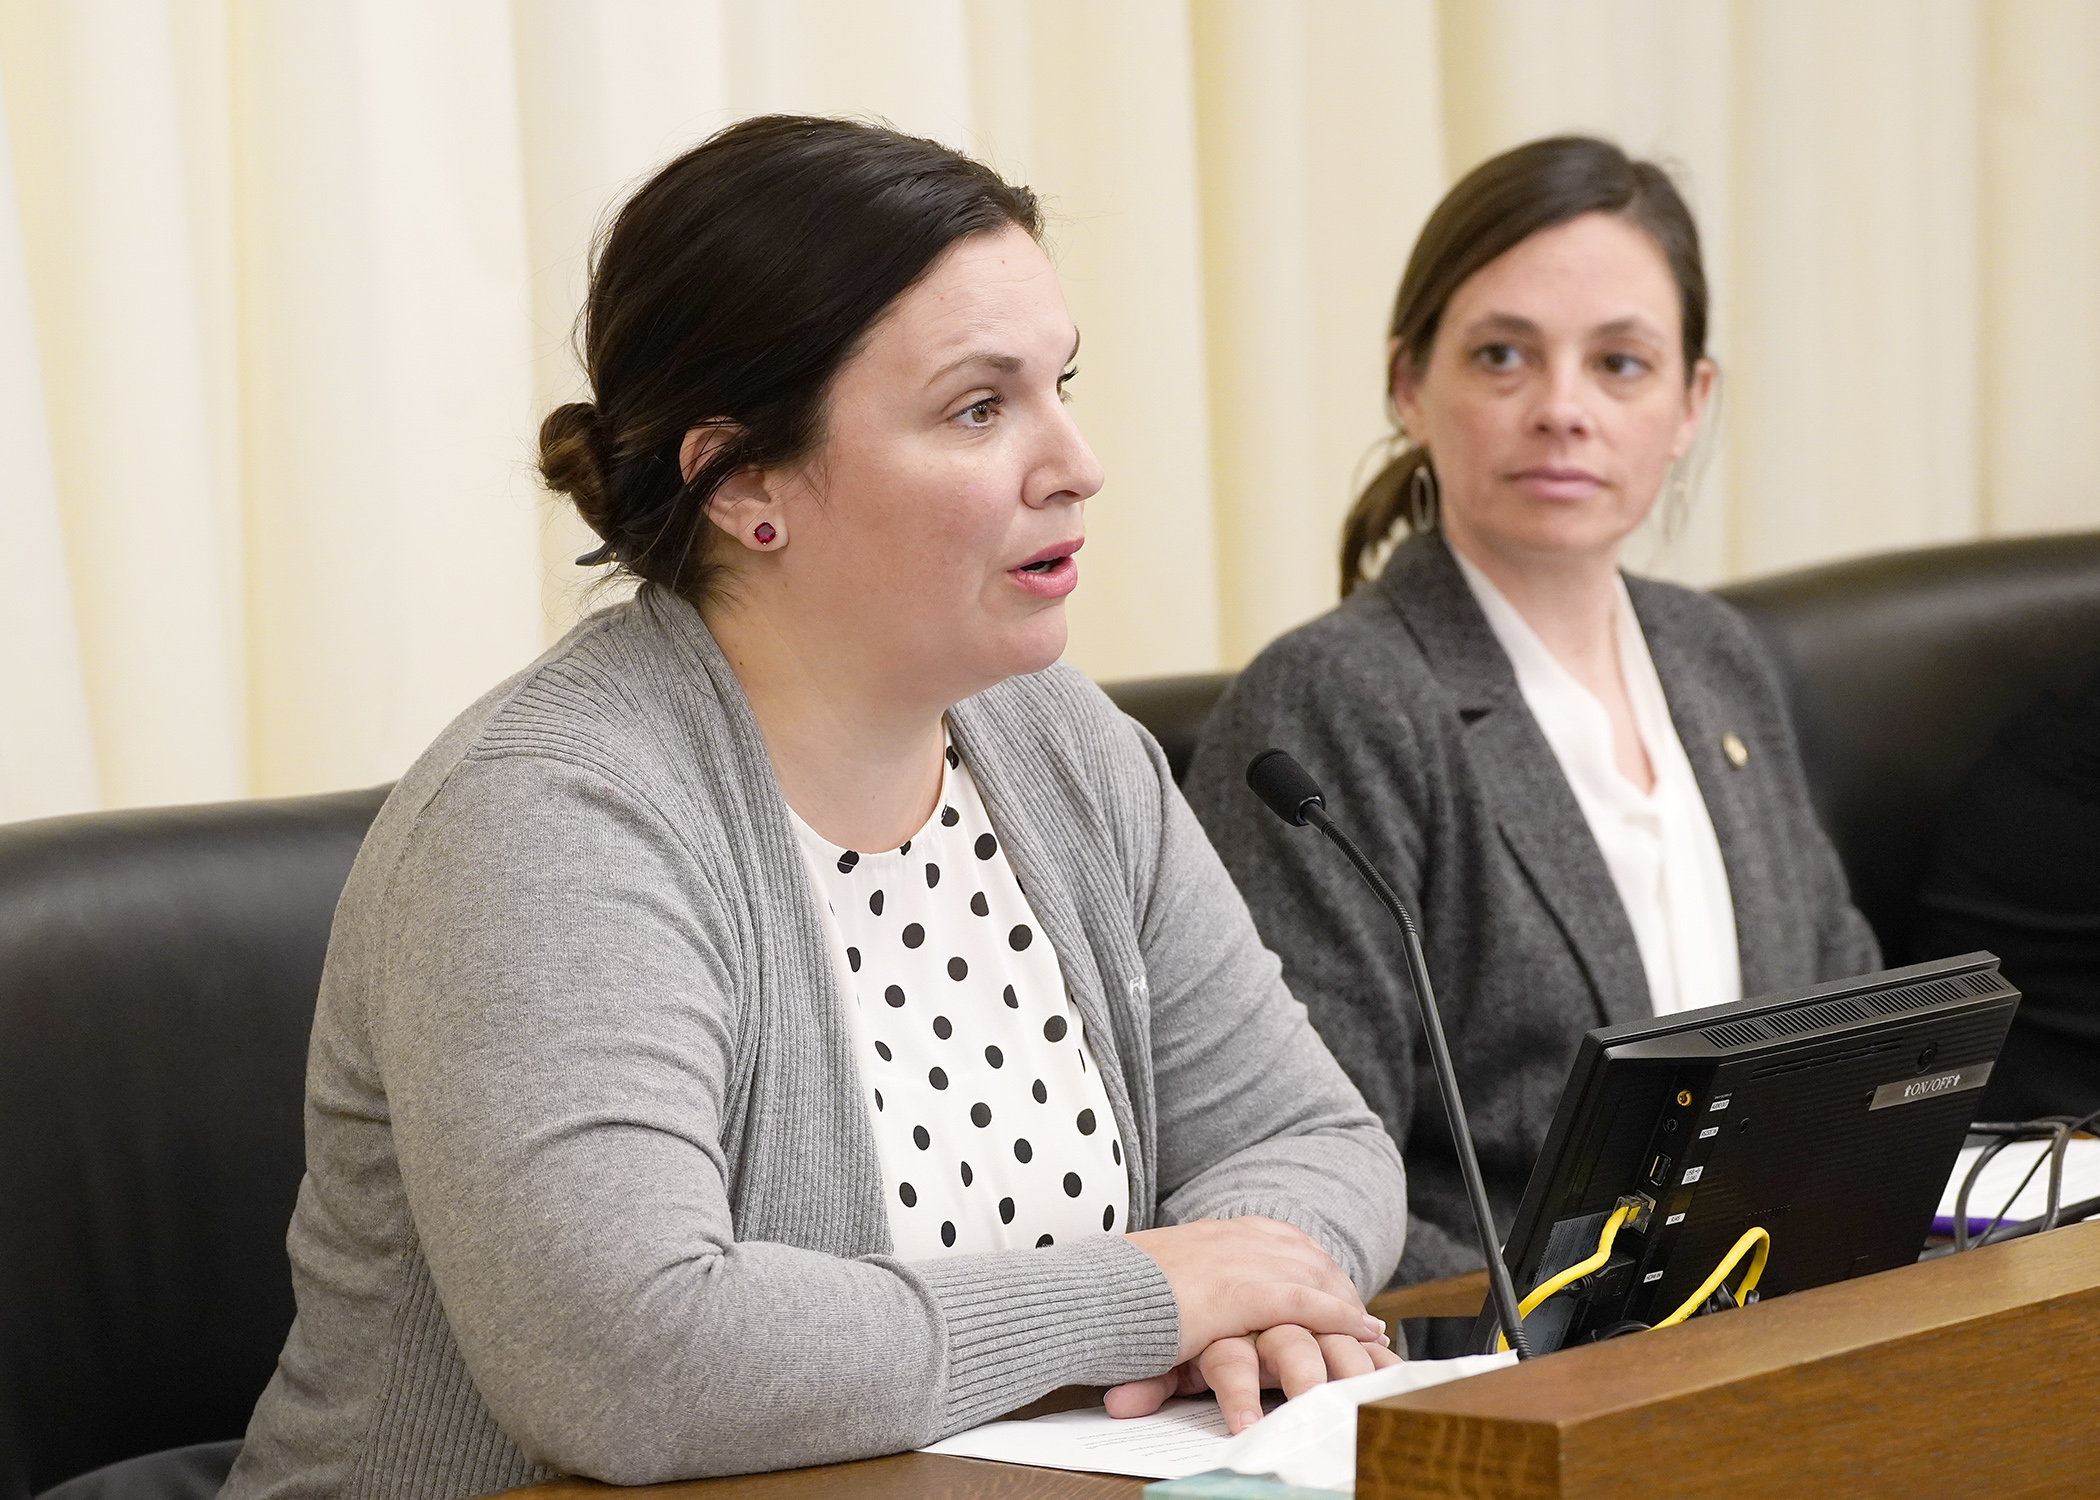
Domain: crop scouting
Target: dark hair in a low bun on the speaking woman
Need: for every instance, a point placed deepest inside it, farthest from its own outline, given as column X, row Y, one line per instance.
column 732, row 289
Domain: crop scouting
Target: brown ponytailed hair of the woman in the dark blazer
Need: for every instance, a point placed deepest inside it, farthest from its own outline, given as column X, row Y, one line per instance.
column 1494, row 209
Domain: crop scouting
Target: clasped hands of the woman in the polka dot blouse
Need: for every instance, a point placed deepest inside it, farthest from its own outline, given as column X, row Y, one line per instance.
column 1261, row 1306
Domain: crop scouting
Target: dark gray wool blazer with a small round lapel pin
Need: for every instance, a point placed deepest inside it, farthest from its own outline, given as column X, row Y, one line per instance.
column 1406, row 709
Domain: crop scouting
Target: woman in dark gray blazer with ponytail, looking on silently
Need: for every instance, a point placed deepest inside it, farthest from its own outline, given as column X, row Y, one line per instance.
column 1584, row 783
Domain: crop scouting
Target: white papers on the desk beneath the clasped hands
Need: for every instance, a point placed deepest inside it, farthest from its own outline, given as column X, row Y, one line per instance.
column 1316, row 1434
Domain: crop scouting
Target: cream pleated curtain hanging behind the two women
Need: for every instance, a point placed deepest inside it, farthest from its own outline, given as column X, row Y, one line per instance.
column 285, row 287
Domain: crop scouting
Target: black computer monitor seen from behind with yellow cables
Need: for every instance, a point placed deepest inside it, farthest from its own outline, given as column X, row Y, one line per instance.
column 1830, row 1119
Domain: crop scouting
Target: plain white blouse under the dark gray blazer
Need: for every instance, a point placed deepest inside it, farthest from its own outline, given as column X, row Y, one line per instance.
column 1658, row 846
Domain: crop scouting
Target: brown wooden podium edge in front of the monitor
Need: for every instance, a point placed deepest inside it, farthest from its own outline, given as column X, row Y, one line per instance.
column 1975, row 1371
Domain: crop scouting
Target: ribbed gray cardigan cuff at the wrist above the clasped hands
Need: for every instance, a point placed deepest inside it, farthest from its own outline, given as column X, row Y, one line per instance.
column 1020, row 1325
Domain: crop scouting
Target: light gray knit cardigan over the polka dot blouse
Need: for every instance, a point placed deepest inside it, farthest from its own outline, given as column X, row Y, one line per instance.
column 591, row 1184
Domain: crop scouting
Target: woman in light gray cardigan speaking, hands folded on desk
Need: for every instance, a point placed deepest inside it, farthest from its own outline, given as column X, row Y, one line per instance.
column 797, row 1020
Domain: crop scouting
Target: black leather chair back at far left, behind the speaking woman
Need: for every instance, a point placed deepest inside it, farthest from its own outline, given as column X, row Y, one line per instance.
column 159, row 974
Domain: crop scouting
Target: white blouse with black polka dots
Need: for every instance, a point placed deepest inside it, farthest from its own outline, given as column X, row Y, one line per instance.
column 990, row 1119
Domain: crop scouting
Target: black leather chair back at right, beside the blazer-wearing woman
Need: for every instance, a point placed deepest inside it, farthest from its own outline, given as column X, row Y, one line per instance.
column 1902, row 669
